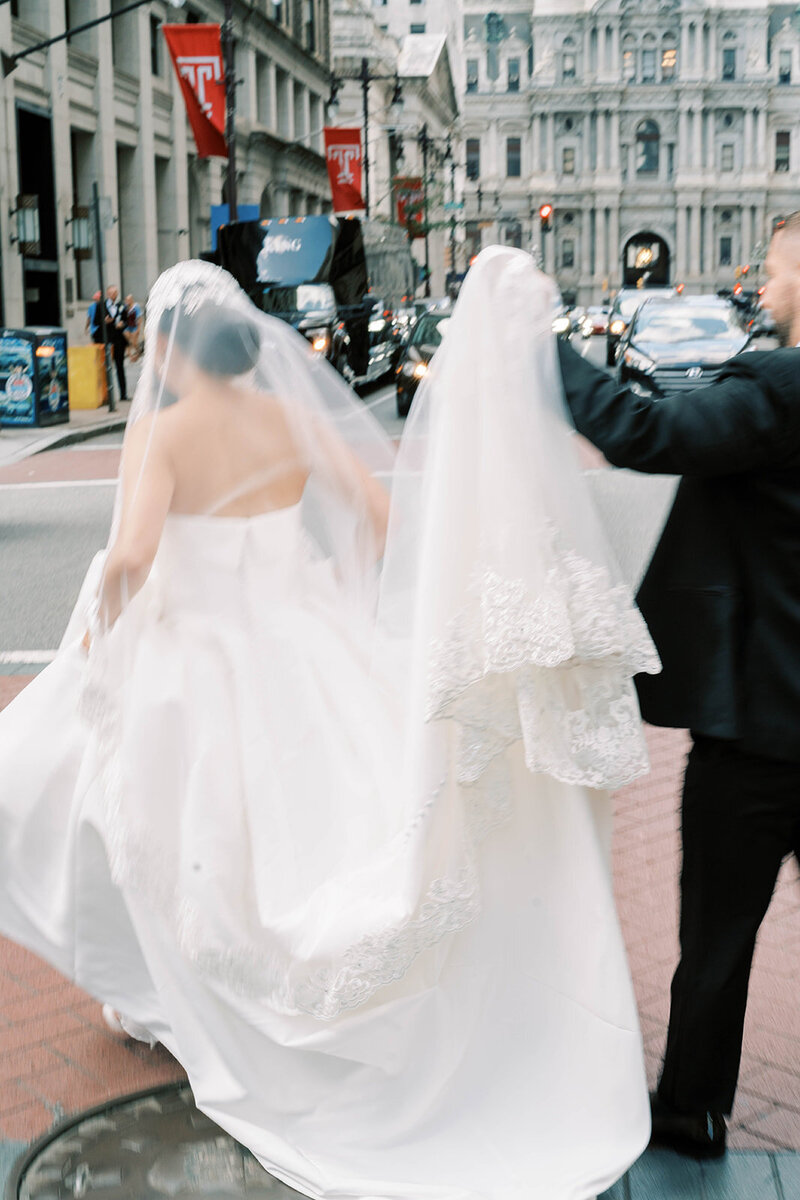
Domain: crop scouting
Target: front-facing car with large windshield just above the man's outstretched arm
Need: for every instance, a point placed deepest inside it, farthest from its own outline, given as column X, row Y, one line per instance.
column 678, row 344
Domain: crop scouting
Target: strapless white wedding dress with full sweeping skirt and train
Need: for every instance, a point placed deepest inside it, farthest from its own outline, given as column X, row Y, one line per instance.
column 208, row 839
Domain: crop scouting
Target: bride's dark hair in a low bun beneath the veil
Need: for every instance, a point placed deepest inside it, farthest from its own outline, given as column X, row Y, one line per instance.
column 219, row 343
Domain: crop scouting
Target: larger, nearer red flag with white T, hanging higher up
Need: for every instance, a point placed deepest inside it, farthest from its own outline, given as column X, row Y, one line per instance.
column 196, row 52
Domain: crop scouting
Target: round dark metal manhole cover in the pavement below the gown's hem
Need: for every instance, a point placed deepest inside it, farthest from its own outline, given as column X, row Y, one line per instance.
column 143, row 1149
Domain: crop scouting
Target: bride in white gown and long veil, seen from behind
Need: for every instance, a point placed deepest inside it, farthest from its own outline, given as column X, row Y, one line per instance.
column 322, row 805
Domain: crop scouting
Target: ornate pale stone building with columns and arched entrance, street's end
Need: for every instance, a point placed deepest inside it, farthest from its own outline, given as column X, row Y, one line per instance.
column 665, row 134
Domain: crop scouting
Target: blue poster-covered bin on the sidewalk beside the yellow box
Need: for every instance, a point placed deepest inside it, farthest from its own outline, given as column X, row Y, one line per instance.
column 34, row 383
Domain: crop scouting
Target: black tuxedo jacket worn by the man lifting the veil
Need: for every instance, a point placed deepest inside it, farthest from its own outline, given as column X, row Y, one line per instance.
column 723, row 593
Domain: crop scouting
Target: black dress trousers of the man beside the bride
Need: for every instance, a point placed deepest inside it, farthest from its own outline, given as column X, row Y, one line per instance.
column 741, row 820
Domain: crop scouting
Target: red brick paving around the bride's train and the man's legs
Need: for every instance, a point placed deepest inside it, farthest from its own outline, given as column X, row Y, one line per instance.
column 58, row 1058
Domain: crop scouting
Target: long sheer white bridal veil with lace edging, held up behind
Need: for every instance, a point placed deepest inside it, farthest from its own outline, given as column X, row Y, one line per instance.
column 498, row 619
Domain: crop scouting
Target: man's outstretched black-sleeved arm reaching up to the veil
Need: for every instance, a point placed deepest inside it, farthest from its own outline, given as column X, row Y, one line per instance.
column 748, row 419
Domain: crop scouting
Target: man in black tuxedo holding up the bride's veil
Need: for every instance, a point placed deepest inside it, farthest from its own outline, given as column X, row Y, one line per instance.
column 723, row 601
